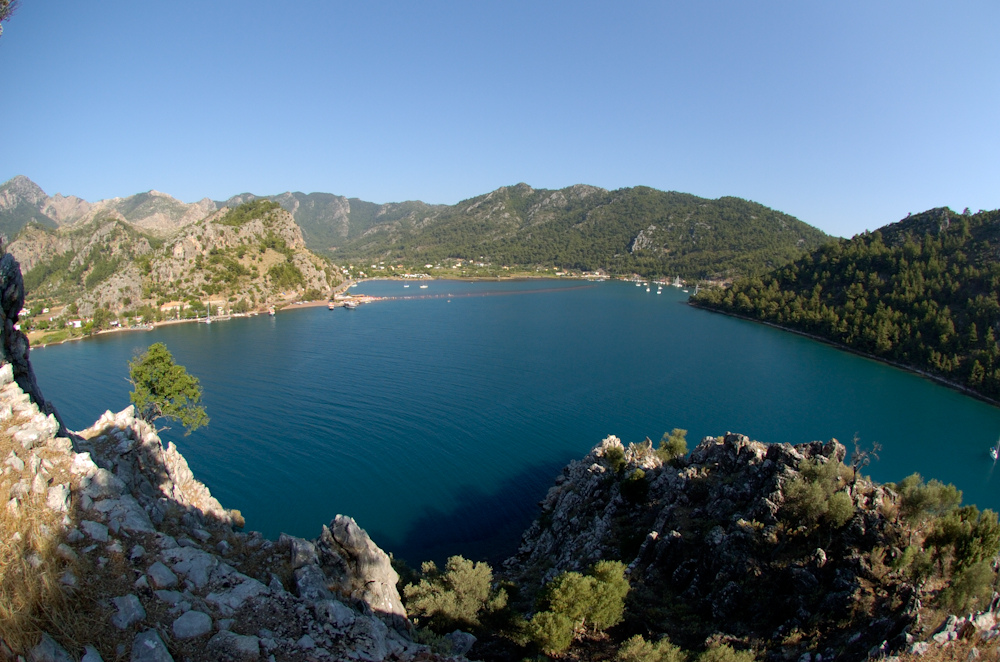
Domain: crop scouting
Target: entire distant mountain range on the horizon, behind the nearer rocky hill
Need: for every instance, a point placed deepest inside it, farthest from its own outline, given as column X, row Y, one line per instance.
column 639, row 229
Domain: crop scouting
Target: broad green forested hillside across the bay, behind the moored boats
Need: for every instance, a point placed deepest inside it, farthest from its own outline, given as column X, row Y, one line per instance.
column 643, row 230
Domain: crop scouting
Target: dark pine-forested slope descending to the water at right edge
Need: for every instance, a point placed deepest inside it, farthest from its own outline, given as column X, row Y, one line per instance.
column 922, row 292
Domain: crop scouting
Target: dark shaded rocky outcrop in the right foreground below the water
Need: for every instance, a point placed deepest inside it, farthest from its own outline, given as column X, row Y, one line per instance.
column 707, row 545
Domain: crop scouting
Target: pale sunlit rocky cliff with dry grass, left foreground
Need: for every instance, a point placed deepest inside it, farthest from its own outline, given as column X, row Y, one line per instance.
column 111, row 549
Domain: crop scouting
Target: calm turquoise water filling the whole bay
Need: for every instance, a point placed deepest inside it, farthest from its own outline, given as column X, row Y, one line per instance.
column 439, row 418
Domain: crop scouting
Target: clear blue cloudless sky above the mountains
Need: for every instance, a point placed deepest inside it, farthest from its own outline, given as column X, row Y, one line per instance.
column 845, row 114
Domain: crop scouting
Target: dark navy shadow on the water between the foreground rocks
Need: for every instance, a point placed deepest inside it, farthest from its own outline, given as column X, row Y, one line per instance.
column 485, row 527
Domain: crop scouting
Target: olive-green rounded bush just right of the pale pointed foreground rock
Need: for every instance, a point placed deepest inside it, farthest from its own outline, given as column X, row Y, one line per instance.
column 455, row 598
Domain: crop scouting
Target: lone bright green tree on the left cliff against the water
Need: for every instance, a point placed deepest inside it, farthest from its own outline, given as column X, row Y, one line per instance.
column 163, row 389
